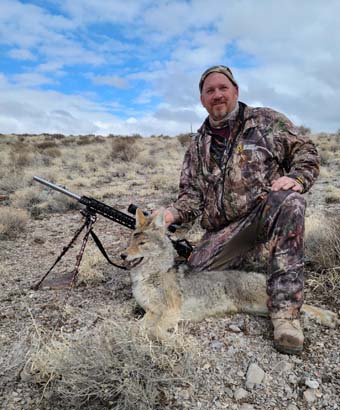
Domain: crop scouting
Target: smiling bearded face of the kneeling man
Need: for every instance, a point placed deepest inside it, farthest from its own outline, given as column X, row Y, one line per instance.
column 219, row 95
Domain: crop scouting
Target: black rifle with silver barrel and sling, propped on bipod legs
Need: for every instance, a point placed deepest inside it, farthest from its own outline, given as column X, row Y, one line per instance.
column 92, row 208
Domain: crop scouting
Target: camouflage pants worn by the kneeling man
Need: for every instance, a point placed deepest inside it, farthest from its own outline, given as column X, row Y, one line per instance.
column 270, row 238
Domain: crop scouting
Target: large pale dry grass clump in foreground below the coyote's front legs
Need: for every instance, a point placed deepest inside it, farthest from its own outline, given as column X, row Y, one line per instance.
column 110, row 364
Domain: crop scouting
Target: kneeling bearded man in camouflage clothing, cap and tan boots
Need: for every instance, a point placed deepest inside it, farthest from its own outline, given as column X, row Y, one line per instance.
column 243, row 174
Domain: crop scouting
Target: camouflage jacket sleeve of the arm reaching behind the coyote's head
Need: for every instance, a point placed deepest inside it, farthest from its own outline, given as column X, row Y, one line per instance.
column 189, row 203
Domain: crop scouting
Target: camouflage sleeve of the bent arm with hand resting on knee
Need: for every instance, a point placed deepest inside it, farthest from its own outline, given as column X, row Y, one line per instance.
column 297, row 154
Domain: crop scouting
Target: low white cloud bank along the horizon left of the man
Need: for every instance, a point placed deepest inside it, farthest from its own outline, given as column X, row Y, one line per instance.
column 24, row 110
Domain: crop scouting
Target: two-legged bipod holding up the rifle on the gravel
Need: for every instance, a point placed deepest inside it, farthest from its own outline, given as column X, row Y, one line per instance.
column 70, row 279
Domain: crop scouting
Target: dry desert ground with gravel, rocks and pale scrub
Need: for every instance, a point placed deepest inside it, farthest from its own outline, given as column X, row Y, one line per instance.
column 79, row 348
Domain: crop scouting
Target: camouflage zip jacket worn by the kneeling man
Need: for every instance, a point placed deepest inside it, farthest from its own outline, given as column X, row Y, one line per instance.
column 263, row 145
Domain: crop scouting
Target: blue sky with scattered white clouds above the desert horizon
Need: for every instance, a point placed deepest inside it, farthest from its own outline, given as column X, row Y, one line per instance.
column 124, row 67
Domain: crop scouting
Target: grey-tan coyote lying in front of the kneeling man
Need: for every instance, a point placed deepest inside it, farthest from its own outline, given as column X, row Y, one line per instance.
column 169, row 294
